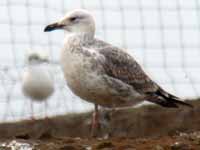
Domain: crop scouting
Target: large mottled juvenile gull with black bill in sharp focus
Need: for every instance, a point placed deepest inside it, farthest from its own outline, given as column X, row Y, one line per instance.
column 102, row 73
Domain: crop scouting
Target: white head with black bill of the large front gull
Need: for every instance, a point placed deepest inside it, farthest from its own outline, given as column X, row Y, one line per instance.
column 78, row 21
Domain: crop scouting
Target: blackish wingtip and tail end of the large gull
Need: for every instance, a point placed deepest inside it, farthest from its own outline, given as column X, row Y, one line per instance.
column 167, row 100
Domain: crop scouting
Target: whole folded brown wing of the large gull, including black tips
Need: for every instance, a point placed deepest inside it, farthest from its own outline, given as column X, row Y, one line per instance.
column 120, row 65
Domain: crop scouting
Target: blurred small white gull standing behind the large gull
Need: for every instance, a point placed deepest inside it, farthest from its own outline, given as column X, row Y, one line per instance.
column 37, row 82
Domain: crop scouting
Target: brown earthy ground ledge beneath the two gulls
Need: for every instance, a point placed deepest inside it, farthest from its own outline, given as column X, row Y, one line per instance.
column 145, row 128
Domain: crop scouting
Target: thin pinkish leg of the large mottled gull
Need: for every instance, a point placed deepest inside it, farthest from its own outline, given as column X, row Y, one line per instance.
column 95, row 121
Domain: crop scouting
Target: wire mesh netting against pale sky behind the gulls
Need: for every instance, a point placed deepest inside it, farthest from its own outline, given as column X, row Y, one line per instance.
column 164, row 36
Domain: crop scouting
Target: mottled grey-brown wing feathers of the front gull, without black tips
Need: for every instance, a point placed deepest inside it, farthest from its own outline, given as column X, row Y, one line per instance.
column 119, row 64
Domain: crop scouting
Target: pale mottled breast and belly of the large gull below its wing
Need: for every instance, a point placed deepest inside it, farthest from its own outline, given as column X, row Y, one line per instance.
column 86, row 81
